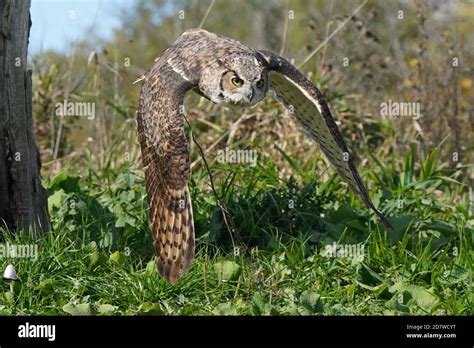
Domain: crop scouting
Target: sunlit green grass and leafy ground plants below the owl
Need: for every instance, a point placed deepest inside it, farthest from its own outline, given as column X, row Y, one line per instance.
column 99, row 259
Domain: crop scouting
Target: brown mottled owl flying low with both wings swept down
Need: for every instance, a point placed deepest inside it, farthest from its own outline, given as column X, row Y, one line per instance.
column 226, row 72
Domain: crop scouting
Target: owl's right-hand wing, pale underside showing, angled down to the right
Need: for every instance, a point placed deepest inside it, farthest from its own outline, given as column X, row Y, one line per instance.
column 309, row 106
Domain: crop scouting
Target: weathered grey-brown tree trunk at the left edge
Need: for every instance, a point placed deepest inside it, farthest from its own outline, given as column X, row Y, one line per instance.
column 23, row 201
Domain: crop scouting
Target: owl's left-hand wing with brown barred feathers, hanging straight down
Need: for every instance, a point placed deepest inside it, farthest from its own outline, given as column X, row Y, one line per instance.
column 160, row 125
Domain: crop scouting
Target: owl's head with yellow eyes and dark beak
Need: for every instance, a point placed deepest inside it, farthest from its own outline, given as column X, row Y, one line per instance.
column 236, row 80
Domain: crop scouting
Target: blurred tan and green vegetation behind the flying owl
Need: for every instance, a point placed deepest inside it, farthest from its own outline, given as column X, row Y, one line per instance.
column 375, row 57
